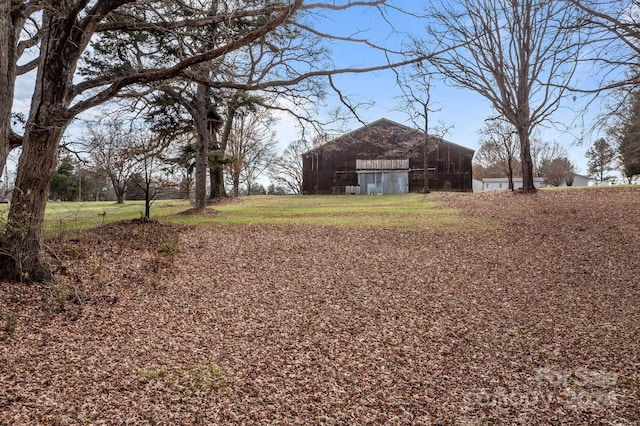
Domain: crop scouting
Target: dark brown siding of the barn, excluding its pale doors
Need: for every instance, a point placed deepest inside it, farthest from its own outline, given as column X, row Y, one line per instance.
column 331, row 167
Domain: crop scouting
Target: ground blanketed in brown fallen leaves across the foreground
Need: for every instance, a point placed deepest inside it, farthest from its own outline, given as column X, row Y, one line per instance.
column 535, row 320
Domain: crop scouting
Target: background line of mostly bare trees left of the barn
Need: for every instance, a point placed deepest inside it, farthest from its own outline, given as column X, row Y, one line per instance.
column 118, row 164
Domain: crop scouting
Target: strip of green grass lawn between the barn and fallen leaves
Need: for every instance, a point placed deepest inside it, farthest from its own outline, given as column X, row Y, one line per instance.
column 407, row 211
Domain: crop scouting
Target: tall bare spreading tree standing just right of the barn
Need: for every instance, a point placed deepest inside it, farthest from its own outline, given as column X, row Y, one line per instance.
column 519, row 55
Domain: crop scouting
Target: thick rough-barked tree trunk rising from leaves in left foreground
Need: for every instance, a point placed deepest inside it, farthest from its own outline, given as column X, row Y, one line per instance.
column 22, row 244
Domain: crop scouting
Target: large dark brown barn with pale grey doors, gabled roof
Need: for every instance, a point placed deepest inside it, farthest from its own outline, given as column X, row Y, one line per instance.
column 385, row 157
